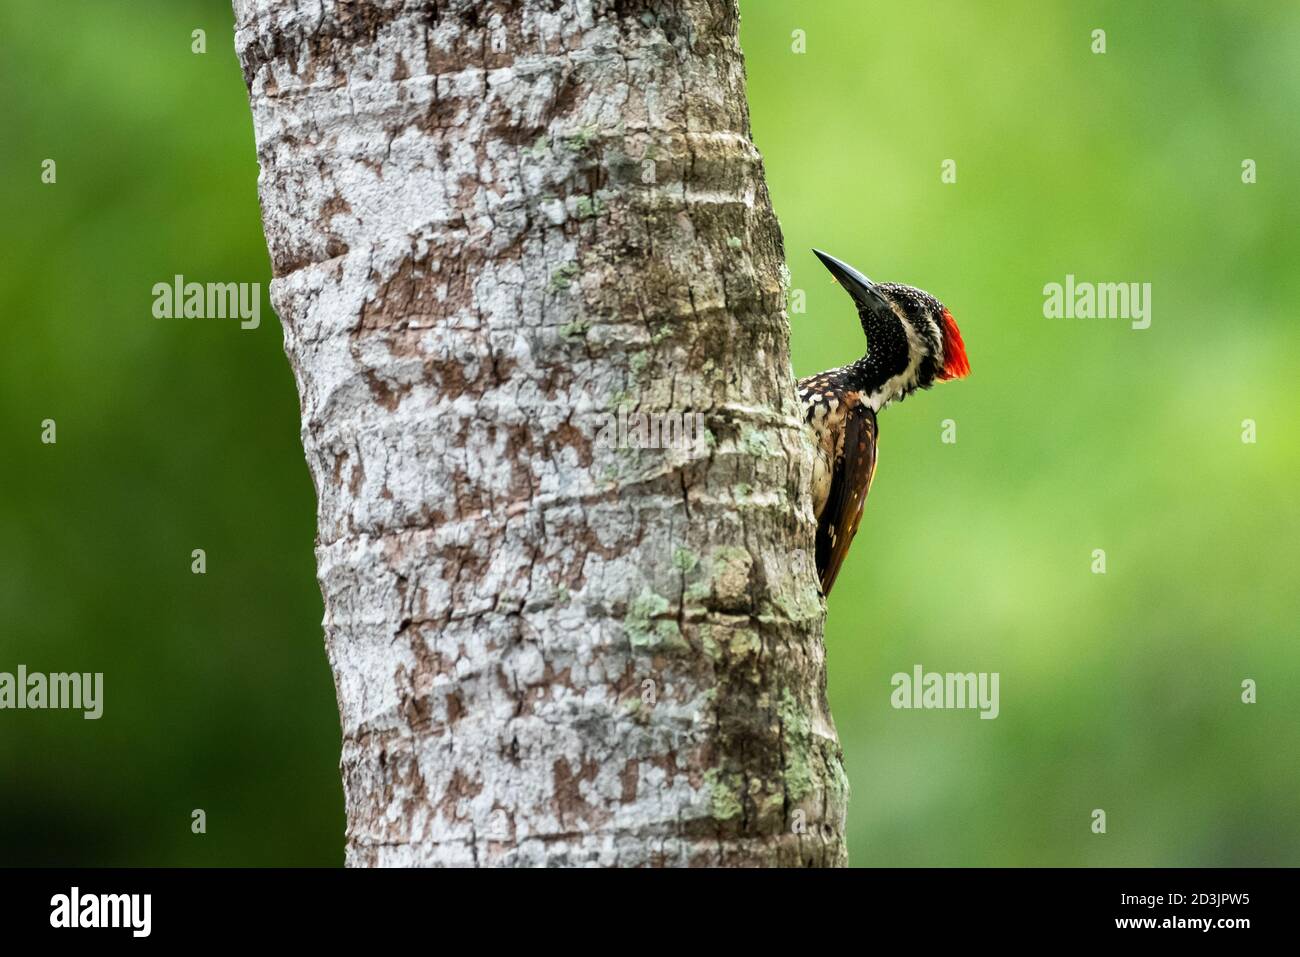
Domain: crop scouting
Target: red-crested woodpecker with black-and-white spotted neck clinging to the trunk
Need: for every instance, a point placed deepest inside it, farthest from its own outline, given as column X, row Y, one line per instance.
column 912, row 344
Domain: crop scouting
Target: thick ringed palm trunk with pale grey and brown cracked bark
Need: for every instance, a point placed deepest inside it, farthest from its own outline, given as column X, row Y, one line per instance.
column 499, row 231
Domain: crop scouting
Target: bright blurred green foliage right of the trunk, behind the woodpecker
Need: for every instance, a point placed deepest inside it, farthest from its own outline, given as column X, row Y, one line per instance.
column 1120, row 691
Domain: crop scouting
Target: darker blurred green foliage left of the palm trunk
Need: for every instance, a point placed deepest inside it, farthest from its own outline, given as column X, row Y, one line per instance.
column 174, row 436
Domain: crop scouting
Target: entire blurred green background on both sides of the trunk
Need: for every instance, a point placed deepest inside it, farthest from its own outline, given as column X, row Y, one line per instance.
column 1119, row 691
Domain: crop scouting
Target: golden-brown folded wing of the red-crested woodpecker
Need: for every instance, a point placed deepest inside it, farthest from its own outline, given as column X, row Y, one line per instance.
column 851, row 480
